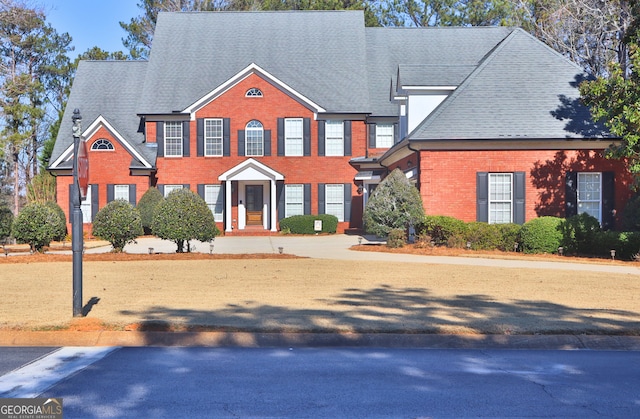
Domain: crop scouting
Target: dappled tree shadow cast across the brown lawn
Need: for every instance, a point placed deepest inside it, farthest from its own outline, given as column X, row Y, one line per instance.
column 386, row 309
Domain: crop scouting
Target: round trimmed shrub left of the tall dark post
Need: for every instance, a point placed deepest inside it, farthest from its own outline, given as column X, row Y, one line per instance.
column 38, row 225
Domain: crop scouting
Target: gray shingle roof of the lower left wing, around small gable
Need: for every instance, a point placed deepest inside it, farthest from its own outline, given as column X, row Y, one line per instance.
column 110, row 89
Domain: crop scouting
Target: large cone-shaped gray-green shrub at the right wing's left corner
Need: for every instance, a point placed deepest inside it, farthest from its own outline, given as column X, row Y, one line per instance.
column 395, row 204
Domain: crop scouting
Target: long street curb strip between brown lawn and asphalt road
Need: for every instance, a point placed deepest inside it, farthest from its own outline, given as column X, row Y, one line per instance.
column 289, row 340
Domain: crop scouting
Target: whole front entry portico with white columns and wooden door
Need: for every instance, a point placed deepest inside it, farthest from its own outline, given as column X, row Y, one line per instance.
column 255, row 188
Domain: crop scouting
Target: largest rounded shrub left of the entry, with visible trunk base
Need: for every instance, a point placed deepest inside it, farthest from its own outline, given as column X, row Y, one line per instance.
column 183, row 216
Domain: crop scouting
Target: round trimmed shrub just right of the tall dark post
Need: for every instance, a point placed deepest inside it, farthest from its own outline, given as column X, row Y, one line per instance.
column 118, row 223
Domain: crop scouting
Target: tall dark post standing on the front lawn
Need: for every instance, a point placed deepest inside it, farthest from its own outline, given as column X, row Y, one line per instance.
column 77, row 244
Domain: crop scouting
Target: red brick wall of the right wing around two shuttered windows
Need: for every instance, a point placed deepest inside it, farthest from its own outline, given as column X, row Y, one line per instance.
column 448, row 179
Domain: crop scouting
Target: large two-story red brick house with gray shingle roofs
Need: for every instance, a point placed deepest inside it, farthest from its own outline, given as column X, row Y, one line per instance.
column 272, row 114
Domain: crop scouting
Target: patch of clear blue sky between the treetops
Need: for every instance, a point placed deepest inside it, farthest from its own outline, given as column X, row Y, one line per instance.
column 90, row 22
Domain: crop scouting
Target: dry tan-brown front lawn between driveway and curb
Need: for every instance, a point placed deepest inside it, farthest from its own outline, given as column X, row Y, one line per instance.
column 281, row 293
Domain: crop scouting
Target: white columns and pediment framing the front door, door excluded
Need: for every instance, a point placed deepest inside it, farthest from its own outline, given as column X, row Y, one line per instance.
column 251, row 172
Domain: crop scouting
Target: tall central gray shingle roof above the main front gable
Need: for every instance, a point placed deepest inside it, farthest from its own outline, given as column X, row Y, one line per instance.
column 319, row 54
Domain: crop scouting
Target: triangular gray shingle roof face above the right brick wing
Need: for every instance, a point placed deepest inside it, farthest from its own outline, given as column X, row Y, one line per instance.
column 523, row 89
